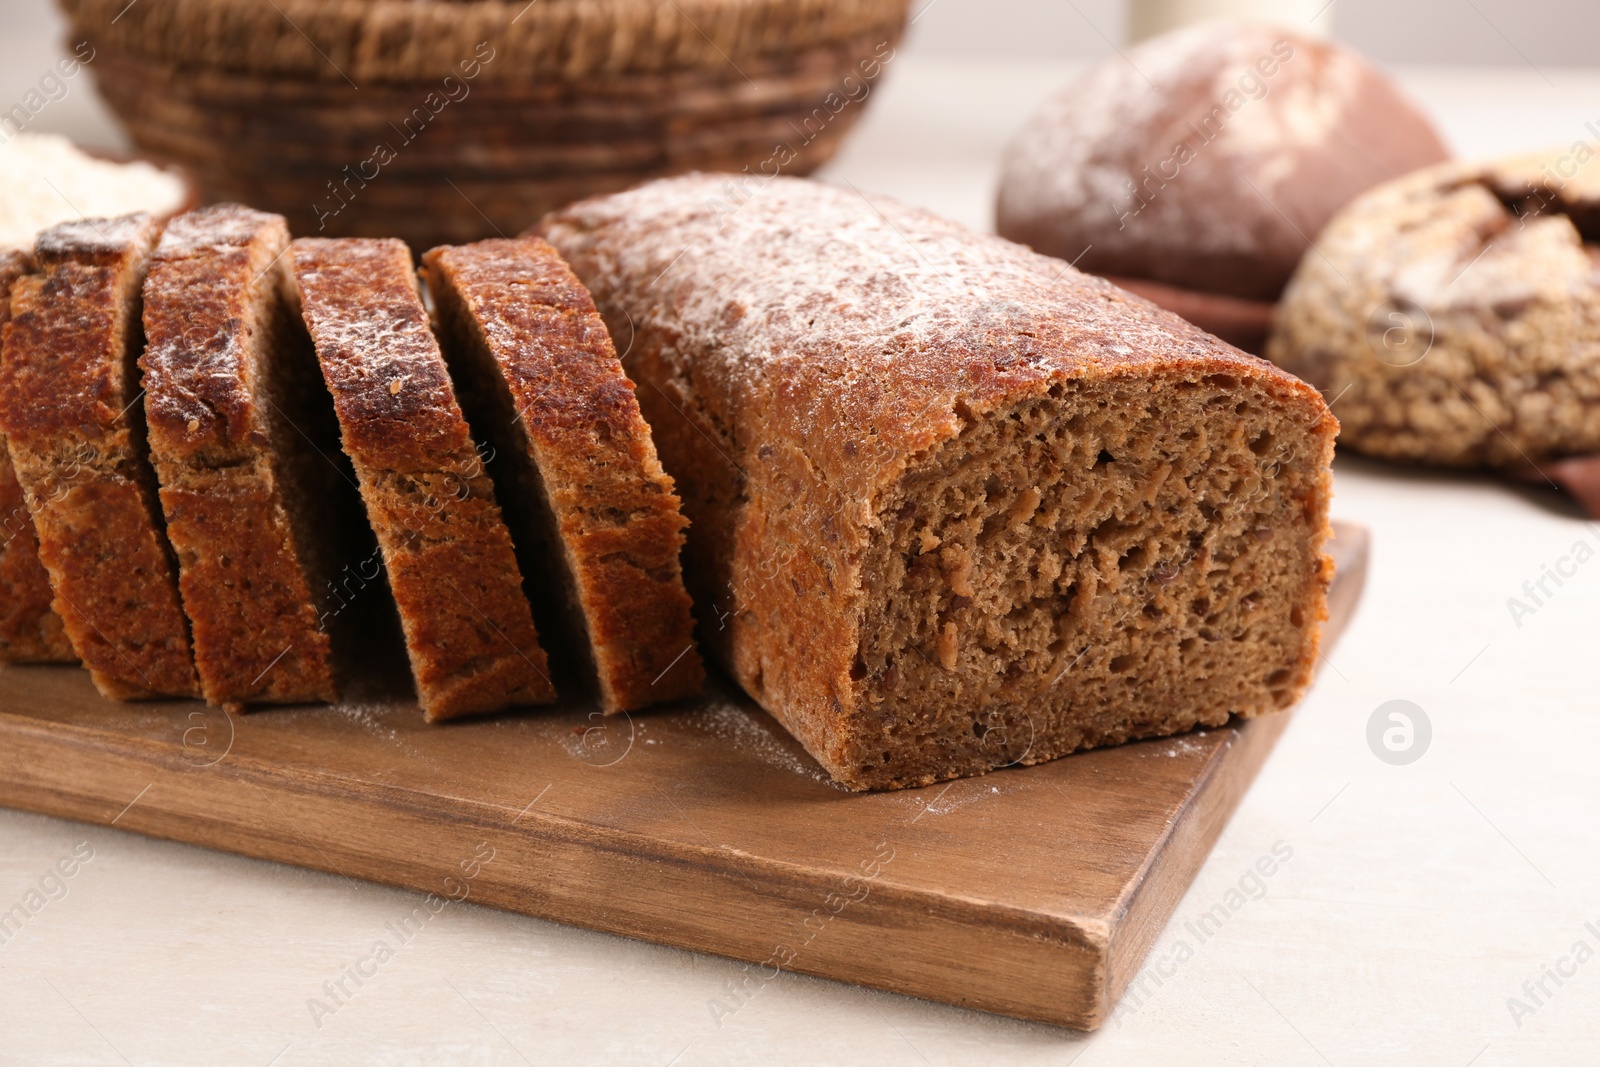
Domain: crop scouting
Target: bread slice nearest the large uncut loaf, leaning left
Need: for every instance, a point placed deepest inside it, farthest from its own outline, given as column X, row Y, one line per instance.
column 578, row 473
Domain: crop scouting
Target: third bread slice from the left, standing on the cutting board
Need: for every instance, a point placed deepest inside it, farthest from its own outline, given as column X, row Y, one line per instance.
column 246, row 447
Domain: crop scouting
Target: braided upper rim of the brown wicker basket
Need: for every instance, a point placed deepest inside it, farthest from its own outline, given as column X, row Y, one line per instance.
column 402, row 41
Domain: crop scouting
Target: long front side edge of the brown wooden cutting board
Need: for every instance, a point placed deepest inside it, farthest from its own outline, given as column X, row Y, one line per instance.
column 1010, row 962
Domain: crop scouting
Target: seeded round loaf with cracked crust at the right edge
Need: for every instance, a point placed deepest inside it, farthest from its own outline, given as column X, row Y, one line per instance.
column 1457, row 314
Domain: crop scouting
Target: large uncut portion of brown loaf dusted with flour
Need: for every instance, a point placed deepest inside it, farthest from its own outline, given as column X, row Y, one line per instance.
column 956, row 506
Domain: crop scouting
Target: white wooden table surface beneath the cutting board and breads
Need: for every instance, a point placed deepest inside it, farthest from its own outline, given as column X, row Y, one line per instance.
column 1417, row 901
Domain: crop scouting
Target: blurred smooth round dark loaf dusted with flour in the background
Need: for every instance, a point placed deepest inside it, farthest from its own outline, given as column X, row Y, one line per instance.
column 1209, row 159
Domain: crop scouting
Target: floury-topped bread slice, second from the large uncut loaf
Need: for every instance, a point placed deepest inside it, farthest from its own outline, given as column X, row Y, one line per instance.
column 455, row 578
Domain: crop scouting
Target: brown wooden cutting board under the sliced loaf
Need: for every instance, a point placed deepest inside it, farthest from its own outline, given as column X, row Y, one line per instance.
column 1031, row 892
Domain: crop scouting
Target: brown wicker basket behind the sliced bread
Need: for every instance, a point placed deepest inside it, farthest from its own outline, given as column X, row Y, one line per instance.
column 449, row 121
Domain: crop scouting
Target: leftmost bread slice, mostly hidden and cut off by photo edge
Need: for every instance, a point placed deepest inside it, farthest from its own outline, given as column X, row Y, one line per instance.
column 31, row 631
